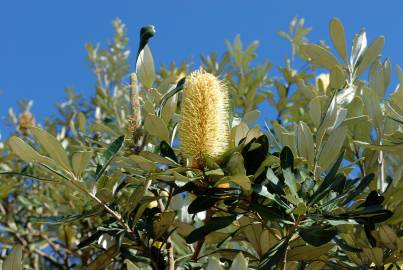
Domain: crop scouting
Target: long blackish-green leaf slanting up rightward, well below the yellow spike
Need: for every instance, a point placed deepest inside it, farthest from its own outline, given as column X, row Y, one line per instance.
column 213, row 224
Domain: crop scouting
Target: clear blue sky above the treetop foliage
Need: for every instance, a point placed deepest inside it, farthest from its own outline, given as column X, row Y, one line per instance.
column 42, row 42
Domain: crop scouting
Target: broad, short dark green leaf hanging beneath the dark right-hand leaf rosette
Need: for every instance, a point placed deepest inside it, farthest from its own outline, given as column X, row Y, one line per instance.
column 317, row 235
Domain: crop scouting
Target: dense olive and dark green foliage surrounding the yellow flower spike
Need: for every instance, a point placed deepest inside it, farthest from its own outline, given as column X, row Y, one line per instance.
column 104, row 185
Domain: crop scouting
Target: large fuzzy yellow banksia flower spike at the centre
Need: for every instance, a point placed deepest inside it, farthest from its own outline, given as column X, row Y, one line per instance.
column 204, row 119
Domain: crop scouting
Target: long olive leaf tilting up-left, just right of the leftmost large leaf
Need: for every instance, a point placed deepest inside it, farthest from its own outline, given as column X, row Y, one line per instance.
column 52, row 146
